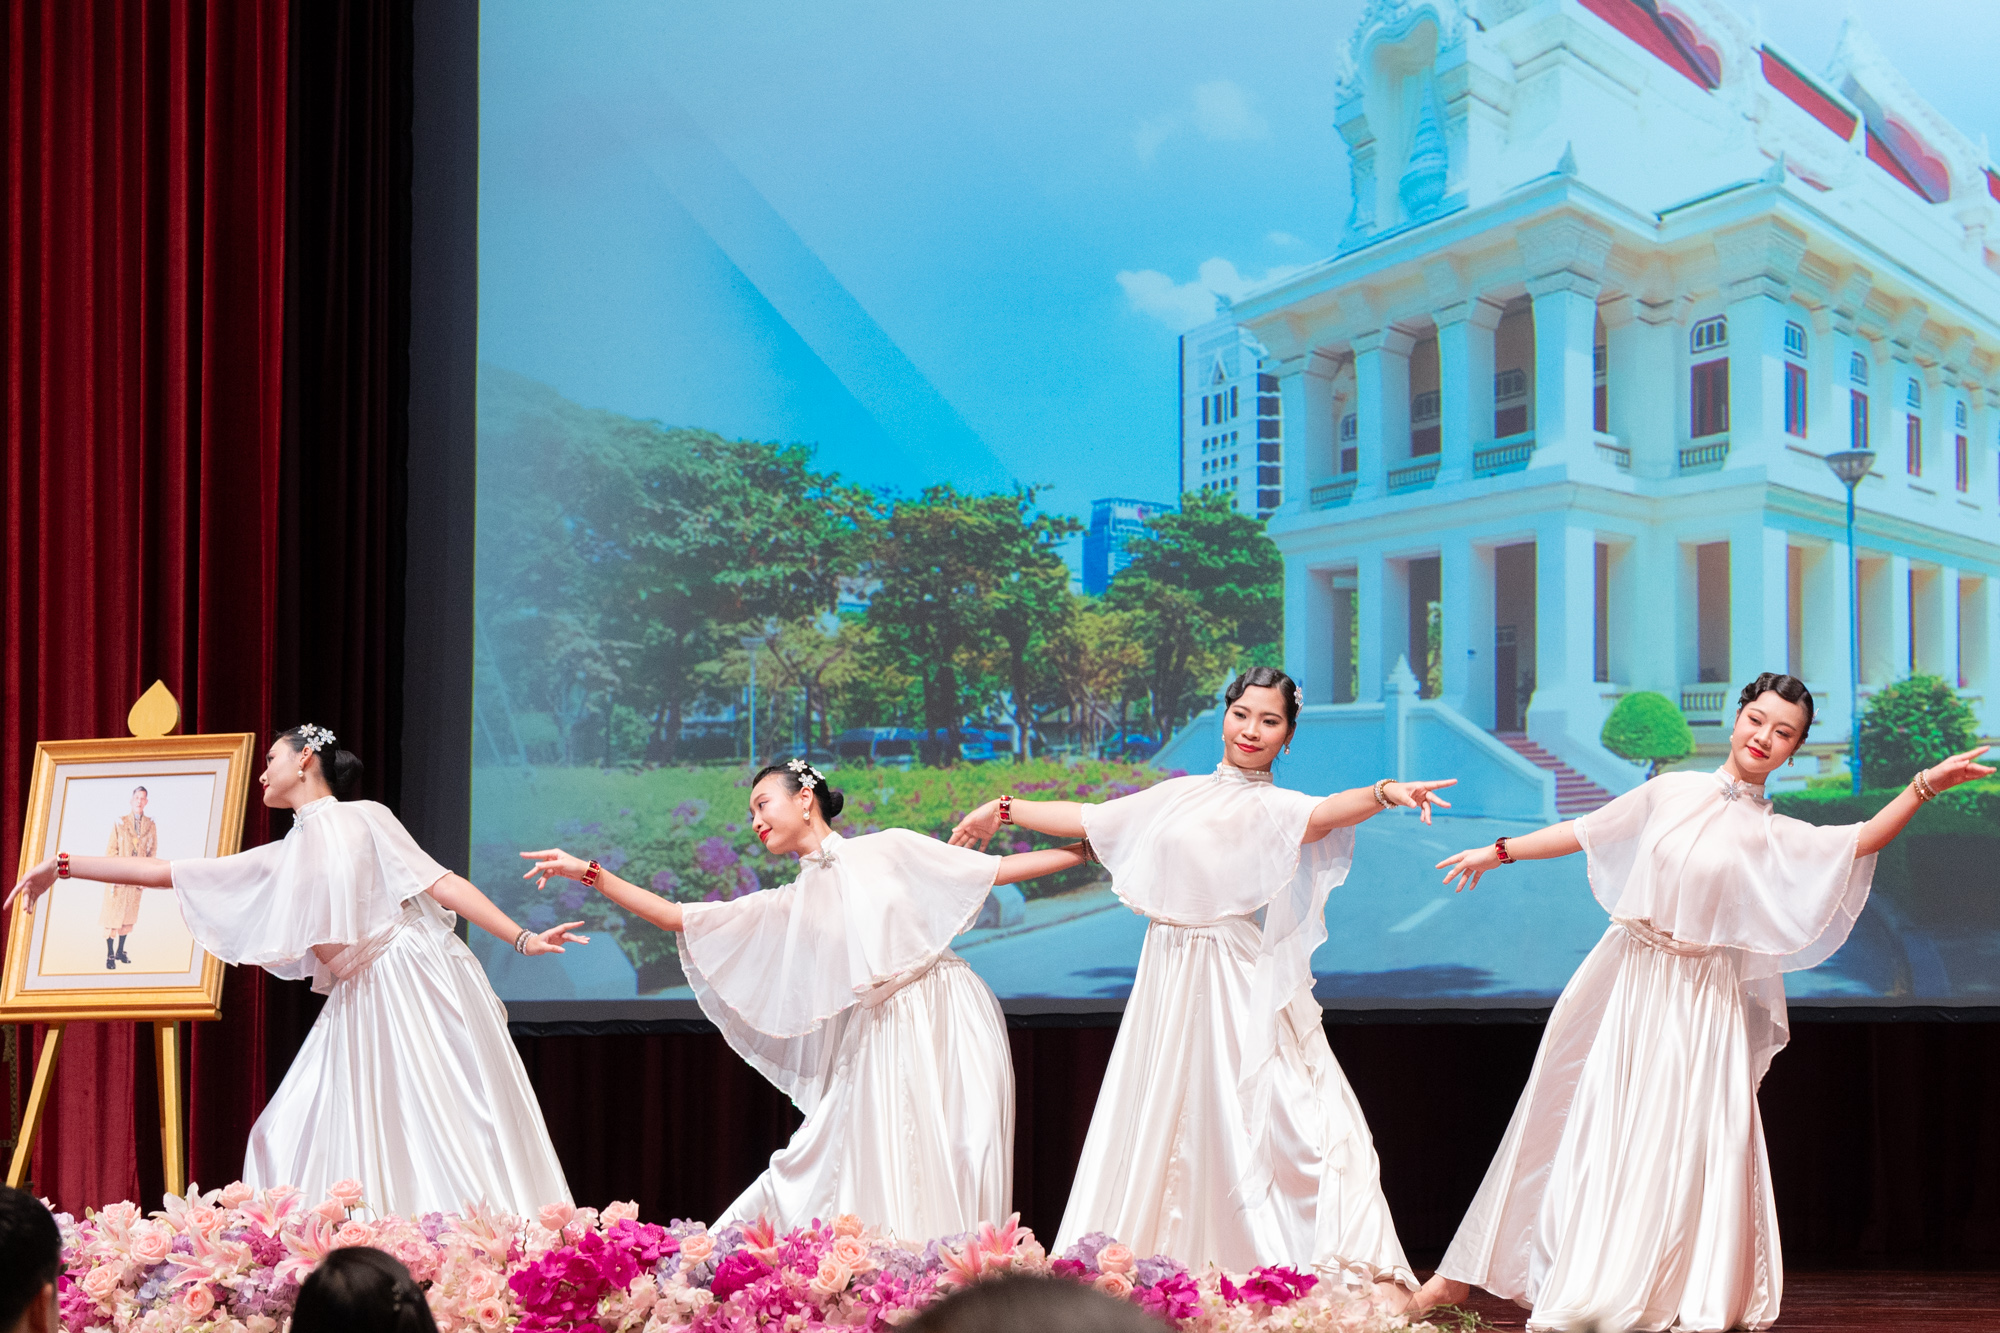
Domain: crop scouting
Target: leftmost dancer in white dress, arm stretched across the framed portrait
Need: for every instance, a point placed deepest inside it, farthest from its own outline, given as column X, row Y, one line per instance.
column 409, row 1082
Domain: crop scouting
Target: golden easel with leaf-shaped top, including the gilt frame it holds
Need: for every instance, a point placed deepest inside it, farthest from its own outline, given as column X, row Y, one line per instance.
column 167, row 1008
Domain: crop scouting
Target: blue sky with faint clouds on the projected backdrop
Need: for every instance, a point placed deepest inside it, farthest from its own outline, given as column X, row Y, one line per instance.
column 945, row 241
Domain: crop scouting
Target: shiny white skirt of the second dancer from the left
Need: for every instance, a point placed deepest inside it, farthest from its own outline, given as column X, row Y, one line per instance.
column 915, row 1126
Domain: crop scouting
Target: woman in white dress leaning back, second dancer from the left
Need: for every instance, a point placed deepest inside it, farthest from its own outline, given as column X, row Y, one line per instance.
column 841, row 990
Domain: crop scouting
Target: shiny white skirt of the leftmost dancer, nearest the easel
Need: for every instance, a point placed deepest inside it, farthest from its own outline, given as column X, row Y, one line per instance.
column 411, row 1086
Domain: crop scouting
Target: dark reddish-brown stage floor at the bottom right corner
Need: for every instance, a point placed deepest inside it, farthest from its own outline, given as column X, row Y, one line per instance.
column 1853, row 1304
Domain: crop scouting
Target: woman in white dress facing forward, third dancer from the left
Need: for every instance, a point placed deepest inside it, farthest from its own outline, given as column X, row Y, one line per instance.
column 1225, row 1132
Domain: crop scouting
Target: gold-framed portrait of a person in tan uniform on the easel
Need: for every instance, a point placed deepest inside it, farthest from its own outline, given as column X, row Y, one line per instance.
column 121, row 952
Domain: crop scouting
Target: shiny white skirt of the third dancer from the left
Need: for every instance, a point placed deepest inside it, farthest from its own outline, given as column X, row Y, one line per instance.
column 1167, row 1154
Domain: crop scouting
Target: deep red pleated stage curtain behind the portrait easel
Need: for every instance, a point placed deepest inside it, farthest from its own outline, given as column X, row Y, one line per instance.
column 145, row 171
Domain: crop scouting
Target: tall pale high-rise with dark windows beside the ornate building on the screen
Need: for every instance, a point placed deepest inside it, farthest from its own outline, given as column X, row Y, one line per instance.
column 1231, row 423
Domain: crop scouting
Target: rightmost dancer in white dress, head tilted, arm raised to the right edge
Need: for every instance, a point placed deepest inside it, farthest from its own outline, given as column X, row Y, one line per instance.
column 1631, row 1190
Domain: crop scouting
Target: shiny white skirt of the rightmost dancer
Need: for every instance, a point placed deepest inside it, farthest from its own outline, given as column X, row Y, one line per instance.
column 1631, row 1190
